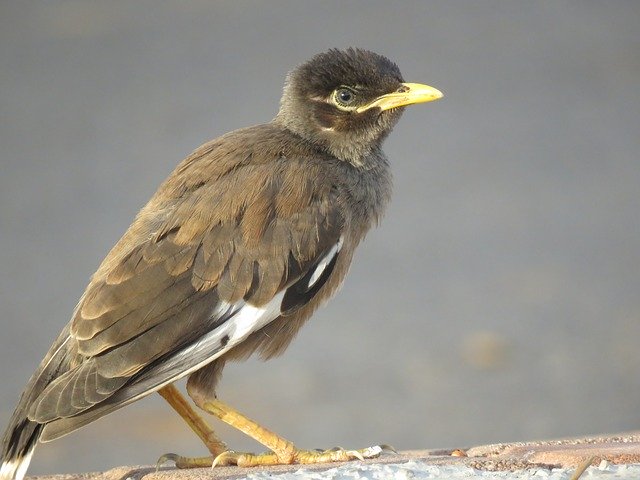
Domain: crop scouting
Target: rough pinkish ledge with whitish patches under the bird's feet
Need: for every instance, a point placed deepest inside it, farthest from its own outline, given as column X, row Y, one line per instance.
column 620, row 449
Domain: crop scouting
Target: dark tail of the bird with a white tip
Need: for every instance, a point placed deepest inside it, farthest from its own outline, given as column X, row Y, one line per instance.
column 21, row 436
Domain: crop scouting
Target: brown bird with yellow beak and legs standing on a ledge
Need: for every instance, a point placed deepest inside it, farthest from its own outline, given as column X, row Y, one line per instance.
column 233, row 253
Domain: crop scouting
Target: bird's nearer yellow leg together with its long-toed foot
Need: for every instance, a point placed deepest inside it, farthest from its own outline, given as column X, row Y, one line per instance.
column 282, row 451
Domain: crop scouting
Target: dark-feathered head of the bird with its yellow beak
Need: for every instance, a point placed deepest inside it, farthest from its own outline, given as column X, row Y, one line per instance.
column 347, row 101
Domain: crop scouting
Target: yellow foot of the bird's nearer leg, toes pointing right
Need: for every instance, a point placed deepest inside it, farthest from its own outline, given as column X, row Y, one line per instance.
column 298, row 456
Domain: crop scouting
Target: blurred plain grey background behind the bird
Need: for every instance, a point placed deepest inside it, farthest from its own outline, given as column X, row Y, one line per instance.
column 499, row 299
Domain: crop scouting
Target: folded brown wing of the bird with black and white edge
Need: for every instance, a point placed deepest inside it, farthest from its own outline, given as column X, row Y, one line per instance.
column 221, row 261
